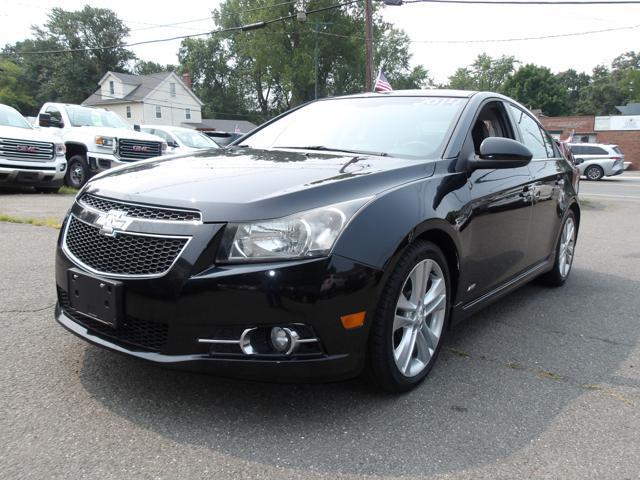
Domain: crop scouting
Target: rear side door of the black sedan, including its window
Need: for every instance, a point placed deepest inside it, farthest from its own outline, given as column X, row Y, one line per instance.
column 552, row 178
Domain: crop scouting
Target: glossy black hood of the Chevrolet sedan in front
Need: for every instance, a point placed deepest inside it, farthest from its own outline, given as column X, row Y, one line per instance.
column 244, row 184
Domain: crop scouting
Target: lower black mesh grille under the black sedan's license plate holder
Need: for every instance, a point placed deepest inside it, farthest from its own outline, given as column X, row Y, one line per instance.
column 150, row 336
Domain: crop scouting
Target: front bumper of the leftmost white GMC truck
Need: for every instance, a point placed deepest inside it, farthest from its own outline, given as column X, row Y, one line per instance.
column 34, row 173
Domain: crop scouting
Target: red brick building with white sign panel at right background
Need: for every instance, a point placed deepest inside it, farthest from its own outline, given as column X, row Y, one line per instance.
column 622, row 130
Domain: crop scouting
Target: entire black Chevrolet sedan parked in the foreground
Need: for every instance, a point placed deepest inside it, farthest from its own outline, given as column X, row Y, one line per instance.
column 319, row 253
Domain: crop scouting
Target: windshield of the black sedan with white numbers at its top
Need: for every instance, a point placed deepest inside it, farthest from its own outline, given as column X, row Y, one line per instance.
column 397, row 126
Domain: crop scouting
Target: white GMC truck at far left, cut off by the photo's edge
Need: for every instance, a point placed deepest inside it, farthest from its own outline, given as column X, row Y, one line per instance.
column 27, row 156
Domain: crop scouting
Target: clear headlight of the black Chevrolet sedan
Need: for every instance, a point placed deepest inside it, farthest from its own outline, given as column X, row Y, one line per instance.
column 302, row 235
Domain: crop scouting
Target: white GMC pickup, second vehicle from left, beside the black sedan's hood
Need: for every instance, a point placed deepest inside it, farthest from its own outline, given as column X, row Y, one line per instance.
column 96, row 139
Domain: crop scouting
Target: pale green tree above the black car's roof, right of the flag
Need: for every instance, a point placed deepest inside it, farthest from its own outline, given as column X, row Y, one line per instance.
column 484, row 74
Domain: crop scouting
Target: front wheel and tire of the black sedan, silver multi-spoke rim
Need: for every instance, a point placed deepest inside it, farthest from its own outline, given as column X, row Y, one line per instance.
column 407, row 332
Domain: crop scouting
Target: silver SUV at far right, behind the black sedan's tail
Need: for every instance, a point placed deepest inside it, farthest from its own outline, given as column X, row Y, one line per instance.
column 597, row 160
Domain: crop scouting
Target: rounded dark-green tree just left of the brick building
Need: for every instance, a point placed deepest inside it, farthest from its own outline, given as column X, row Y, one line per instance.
column 537, row 87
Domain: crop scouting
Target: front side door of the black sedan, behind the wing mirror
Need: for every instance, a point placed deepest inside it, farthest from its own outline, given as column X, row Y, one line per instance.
column 500, row 209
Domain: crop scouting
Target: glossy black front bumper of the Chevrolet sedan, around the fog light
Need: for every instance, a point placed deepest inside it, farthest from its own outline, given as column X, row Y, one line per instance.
column 165, row 317
